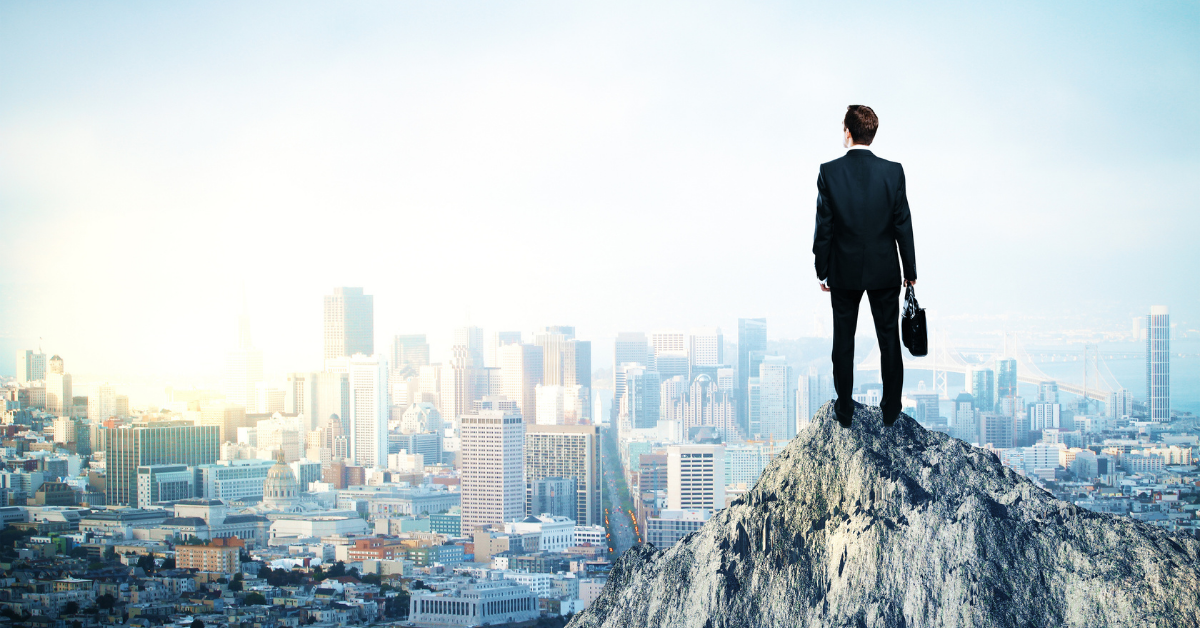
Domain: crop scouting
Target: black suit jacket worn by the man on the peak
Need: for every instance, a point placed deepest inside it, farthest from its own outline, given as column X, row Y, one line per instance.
column 862, row 220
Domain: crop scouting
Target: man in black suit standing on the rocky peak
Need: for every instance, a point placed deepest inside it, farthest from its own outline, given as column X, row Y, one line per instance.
column 862, row 222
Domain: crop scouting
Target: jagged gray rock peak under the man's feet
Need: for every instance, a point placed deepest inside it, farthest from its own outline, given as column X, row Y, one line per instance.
column 901, row 527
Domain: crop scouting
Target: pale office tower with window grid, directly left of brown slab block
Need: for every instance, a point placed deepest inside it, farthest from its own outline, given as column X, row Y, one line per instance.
column 493, row 471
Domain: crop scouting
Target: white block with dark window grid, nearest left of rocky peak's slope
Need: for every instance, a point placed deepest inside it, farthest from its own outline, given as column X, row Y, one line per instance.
column 697, row 477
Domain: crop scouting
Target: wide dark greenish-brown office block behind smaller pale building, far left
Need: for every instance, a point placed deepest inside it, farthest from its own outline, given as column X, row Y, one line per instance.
column 154, row 444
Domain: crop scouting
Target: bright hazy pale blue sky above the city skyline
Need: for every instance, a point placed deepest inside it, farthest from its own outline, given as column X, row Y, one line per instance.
column 611, row 166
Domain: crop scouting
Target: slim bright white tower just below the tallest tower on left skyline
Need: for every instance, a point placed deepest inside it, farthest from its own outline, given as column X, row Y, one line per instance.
column 368, row 428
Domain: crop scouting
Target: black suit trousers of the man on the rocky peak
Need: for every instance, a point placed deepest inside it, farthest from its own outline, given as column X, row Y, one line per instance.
column 886, row 312
